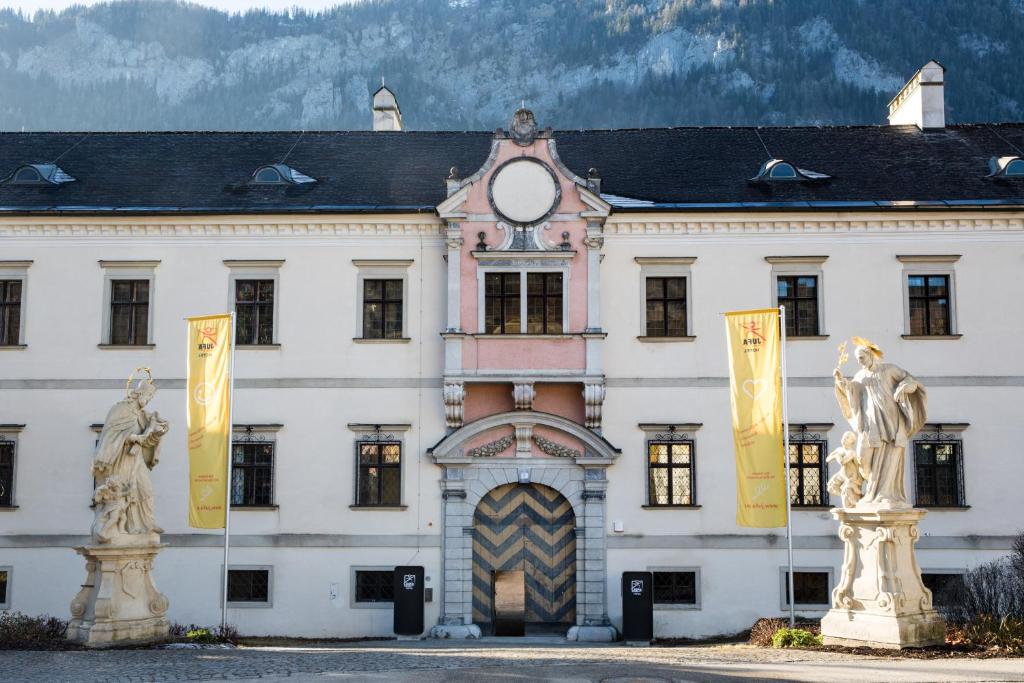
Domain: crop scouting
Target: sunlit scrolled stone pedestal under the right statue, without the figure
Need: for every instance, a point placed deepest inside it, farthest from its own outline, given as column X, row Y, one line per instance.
column 880, row 601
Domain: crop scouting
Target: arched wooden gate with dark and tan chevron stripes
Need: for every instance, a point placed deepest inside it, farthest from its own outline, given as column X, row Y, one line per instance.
column 529, row 529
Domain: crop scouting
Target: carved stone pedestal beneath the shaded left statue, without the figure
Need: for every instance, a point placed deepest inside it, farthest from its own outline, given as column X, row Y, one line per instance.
column 119, row 604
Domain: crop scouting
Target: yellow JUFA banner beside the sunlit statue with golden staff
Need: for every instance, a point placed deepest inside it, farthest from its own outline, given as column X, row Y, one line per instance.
column 756, row 390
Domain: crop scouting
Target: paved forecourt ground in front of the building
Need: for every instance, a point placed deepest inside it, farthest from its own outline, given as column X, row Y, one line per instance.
column 489, row 661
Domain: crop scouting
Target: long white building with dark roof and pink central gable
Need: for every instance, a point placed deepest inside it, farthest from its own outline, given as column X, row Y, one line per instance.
column 410, row 396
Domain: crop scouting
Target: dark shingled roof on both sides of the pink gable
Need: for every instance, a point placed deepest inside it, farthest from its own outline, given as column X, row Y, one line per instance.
column 649, row 169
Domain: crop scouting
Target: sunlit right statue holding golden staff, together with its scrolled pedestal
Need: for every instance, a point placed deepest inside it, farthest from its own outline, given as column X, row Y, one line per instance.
column 881, row 601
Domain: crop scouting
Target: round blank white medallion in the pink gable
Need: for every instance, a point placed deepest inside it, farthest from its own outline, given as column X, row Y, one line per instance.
column 524, row 191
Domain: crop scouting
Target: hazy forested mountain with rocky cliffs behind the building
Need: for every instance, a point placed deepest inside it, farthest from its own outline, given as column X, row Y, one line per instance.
column 468, row 64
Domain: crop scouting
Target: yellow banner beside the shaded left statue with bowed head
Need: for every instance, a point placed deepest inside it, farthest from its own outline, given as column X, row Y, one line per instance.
column 209, row 385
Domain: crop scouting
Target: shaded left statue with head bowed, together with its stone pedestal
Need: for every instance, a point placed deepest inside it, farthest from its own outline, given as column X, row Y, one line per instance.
column 118, row 603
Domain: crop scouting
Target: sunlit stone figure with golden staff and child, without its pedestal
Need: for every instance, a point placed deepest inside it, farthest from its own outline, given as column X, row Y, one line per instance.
column 885, row 406
